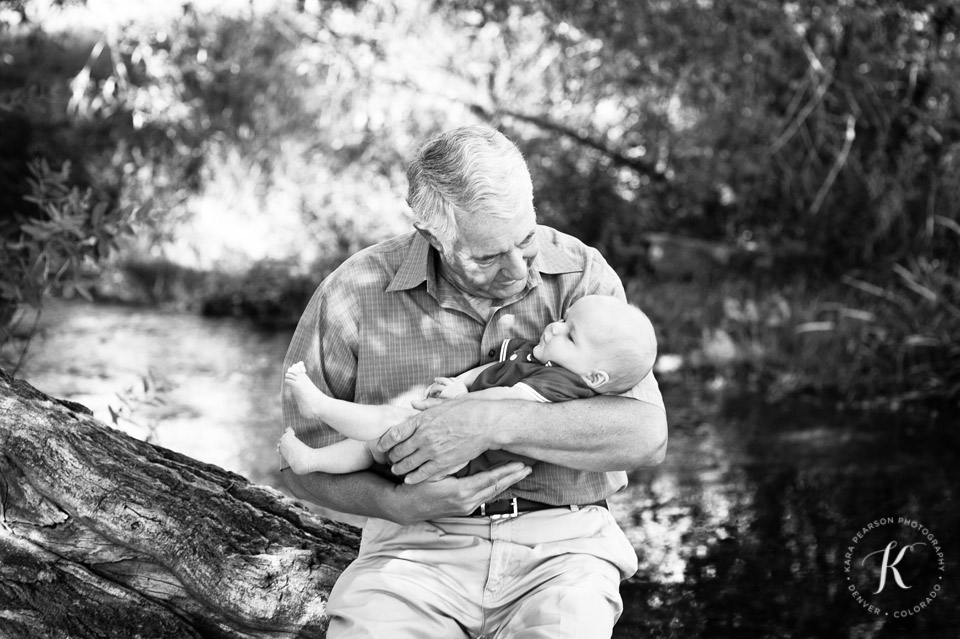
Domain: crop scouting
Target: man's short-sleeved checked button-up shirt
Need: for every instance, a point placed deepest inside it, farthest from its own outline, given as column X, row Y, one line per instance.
column 383, row 325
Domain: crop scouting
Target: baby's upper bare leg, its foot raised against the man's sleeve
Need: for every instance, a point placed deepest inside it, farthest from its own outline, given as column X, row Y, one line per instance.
column 356, row 421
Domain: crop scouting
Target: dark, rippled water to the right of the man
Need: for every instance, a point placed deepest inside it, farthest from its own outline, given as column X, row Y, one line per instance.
column 743, row 531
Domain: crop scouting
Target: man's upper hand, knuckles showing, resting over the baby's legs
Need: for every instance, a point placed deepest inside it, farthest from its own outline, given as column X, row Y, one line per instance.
column 437, row 439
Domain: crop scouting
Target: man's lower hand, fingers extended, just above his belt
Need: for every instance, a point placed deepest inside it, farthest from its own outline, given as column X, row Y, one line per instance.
column 452, row 497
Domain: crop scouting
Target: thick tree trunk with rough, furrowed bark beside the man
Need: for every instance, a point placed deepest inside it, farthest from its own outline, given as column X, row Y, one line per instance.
column 102, row 535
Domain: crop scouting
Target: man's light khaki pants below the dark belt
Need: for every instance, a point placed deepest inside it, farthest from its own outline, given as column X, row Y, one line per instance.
column 547, row 574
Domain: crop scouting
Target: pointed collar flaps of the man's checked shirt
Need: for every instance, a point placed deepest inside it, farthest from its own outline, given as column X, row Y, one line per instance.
column 419, row 264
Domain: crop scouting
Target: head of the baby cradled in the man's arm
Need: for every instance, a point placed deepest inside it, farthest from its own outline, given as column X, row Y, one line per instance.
column 610, row 344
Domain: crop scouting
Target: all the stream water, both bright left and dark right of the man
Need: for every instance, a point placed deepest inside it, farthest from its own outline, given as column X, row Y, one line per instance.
column 742, row 532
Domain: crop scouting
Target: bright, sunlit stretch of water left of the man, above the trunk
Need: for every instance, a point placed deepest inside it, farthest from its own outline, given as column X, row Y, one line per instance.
column 213, row 384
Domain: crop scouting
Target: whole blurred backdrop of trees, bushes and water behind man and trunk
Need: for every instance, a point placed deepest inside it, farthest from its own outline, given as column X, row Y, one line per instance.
column 777, row 183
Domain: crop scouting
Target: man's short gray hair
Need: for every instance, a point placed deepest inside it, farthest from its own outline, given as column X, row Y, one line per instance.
column 472, row 170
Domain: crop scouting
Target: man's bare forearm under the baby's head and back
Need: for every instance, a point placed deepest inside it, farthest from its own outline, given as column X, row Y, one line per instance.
column 596, row 434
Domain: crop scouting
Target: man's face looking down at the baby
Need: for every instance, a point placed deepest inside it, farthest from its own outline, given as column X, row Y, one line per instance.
column 492, row 256
